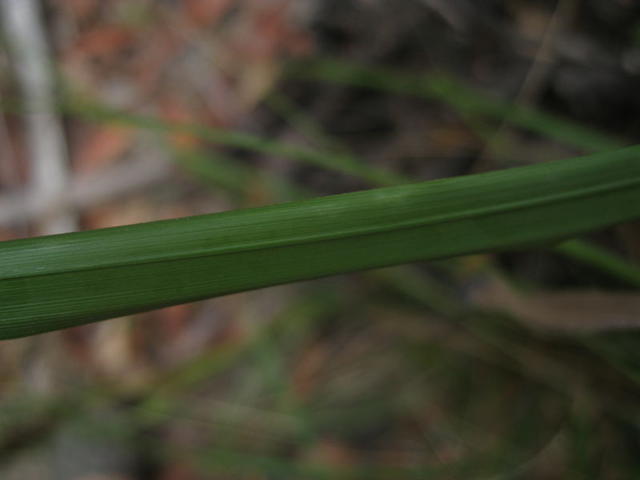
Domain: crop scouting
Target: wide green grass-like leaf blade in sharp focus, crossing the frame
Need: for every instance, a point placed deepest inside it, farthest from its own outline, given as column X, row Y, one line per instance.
column 60, row 281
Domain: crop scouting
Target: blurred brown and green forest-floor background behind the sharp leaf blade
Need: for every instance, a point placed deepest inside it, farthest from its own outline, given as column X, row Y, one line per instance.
column 515, row 365
